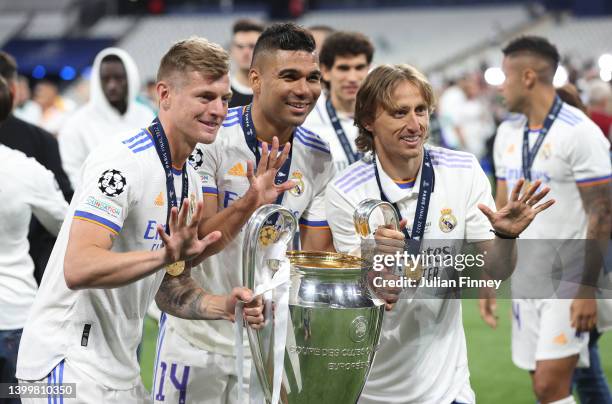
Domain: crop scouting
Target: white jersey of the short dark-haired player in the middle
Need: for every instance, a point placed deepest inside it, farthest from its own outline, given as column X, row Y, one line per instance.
column 222, row 167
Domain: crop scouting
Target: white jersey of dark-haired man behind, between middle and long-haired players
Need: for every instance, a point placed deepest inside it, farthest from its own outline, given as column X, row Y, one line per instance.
column 319, row 122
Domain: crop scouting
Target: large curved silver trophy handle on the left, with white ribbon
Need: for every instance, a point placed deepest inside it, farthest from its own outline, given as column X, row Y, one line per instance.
column 286, row 232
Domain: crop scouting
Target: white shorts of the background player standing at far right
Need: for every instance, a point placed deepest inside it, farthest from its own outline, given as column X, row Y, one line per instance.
column 541, row 330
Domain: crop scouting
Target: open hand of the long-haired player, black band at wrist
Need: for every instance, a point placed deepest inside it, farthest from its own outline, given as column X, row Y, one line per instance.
column 520, row 210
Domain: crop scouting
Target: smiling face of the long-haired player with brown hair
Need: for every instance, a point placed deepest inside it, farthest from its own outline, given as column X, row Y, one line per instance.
column 399, row 134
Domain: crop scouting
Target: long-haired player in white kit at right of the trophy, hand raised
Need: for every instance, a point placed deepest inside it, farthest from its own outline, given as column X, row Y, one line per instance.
column 422, row 355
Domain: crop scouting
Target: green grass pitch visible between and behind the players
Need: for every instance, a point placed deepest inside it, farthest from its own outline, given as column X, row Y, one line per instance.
column 493, row 376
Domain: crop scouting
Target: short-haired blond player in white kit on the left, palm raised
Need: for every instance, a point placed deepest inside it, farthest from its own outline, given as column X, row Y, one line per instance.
column 124, row 237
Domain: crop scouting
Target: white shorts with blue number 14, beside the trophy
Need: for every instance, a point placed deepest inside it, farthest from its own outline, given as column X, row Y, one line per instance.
column 185, row 373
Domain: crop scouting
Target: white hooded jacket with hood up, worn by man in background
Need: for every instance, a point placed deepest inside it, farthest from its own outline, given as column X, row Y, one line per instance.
column 97, row 121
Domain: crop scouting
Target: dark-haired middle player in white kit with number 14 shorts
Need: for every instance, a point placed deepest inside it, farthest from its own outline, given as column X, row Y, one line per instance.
column 196, row 359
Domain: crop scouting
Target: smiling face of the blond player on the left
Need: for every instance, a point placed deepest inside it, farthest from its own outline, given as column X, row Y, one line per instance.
column 195, row 104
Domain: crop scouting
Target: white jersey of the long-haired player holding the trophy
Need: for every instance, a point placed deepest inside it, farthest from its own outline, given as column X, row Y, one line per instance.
column 422, row 355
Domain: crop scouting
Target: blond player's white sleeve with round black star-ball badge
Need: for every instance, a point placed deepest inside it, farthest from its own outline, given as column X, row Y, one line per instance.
column 110, row 184
